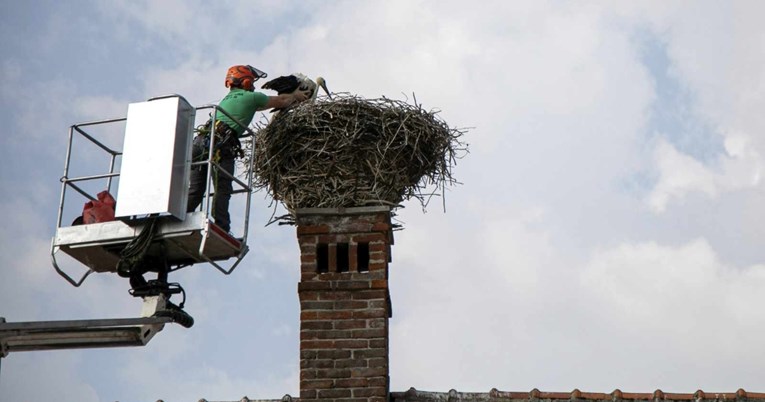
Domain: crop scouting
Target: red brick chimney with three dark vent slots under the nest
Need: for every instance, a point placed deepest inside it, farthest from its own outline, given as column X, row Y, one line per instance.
column 344, row 303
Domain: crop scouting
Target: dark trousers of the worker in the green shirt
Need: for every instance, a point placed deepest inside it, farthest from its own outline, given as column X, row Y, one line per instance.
column 222, row 188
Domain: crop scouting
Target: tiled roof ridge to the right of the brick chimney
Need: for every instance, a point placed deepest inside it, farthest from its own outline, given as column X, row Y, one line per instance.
column 535, row 394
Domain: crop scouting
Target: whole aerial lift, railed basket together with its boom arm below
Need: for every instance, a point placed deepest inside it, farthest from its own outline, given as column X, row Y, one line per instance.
column 151, row 161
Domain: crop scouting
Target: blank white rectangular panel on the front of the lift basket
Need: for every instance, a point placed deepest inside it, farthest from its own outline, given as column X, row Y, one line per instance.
column 156, row 155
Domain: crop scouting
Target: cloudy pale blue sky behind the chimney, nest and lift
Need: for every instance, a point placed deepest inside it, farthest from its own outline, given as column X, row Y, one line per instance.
column 611, row 209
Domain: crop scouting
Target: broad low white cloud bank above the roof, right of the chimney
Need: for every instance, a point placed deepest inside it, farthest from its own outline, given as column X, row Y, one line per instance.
column 506, row 303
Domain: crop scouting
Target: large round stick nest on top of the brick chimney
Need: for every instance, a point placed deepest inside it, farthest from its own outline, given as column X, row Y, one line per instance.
column 352, row 151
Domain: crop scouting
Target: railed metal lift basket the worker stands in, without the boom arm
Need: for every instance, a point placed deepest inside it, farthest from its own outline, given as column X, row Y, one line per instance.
column 152, row 170
